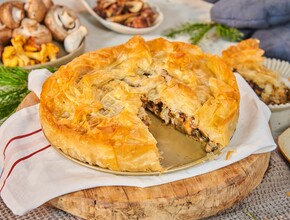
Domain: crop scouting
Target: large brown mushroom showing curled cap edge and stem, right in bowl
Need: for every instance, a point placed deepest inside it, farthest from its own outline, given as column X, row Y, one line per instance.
column 61, row 21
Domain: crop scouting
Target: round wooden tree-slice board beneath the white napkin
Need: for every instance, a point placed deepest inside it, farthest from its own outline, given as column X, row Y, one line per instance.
column 191, row 198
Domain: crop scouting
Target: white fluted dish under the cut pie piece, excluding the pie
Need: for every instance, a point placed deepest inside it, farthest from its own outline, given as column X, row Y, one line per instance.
column 280, row 118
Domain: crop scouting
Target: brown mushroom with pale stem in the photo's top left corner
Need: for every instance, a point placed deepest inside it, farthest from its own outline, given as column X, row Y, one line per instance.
column 11, row 13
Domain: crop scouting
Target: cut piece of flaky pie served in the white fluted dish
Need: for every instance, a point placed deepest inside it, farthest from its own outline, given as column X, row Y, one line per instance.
column 247, row 59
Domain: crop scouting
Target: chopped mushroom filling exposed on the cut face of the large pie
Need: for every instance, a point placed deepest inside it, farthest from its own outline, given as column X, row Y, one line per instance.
column 180, row 121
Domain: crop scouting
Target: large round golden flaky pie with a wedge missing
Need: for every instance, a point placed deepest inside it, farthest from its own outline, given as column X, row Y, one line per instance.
column 93, row 108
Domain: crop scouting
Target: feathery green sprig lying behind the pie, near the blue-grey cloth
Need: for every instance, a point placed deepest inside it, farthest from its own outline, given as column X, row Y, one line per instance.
column 197, row 31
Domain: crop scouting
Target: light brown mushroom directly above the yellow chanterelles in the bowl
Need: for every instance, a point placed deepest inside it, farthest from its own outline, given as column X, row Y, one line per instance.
column 31, row 28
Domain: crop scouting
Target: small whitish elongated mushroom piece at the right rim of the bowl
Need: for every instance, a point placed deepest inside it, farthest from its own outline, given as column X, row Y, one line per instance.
column 73, row 40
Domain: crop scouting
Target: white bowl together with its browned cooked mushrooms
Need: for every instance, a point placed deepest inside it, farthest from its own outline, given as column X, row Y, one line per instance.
column 127, row 16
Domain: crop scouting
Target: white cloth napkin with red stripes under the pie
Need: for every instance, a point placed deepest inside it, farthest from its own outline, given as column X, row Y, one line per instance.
column 32, row 172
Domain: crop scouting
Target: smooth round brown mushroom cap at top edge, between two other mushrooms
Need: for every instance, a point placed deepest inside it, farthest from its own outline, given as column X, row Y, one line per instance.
column 35, row 9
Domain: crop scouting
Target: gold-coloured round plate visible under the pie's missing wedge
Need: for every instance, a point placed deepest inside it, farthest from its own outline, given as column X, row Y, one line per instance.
column 178, row 151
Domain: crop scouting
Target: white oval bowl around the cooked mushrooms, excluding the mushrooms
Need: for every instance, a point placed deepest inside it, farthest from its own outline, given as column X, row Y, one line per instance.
column 122, row 28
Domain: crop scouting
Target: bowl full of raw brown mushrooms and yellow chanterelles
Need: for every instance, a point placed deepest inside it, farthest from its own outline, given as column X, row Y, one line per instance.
column 38, row 33
